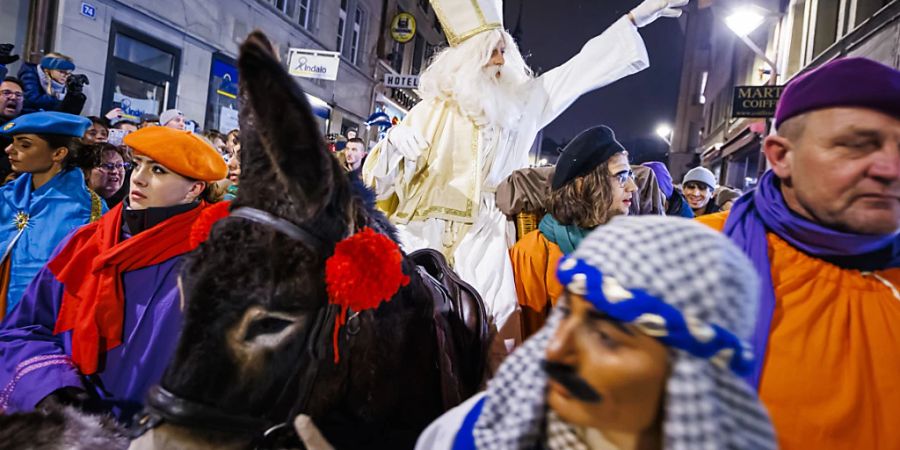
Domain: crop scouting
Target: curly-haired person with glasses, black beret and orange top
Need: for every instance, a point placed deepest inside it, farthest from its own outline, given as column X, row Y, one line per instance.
column 592, row 184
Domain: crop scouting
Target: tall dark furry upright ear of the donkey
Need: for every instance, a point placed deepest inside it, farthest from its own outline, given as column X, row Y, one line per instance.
column 283, row 124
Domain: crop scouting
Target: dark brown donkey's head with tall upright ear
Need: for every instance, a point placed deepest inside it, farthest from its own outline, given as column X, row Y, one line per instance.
column 256, row 301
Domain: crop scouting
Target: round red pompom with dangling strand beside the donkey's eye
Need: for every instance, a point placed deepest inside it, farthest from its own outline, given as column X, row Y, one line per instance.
column 365, row 270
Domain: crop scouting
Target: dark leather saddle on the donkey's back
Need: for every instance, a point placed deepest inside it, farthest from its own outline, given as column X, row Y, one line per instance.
column 461, row 325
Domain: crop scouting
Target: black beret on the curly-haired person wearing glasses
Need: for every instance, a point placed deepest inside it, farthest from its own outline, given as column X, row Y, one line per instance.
column 588, row 150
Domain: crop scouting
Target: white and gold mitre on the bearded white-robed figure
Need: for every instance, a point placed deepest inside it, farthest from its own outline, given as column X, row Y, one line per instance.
column 462, row 19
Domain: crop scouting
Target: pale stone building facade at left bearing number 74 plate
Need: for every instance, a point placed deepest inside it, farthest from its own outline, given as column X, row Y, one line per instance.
column 150, row 56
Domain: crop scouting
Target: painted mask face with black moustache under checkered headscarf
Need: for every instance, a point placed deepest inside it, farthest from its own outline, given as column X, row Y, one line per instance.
column 604, row 374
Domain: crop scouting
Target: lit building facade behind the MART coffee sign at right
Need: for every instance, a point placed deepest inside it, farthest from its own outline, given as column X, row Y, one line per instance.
column 796, row 36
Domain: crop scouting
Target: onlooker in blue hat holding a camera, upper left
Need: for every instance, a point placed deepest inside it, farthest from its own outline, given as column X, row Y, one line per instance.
column 51, row 86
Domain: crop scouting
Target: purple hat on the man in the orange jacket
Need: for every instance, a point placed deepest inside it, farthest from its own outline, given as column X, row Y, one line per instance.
column 857, row 82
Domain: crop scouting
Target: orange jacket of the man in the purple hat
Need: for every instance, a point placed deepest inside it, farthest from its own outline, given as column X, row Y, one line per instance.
column 831, row 375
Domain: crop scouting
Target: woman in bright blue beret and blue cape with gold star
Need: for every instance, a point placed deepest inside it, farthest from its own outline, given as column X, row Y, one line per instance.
column 47, row 201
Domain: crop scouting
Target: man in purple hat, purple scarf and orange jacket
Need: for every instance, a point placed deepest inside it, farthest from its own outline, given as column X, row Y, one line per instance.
column 822, row 230
